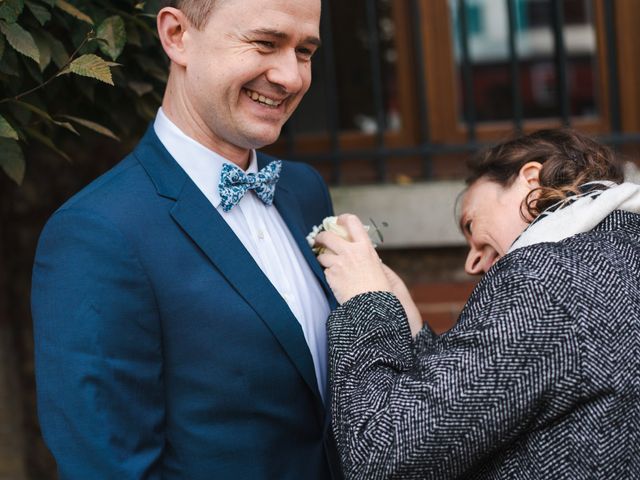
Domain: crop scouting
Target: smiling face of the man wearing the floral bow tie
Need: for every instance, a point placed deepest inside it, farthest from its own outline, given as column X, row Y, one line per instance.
column 248, row 68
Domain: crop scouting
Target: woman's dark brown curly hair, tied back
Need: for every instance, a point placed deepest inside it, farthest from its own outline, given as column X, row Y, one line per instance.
column 569, row 159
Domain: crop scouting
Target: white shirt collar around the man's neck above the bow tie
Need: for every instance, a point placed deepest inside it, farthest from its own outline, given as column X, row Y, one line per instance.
column 202, row 165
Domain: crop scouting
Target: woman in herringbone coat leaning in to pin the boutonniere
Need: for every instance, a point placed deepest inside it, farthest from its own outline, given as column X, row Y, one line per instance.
column 539, row 377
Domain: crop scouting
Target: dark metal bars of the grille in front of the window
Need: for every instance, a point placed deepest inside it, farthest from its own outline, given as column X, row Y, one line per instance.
column 425, row 149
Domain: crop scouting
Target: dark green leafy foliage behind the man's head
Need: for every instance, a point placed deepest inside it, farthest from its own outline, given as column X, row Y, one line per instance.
column 59, row 77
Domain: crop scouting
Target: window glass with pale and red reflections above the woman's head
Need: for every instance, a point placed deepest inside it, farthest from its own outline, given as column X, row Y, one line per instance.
column 535, row 59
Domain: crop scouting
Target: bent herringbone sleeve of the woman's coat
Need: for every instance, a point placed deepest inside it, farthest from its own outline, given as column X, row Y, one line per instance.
column 436, row 408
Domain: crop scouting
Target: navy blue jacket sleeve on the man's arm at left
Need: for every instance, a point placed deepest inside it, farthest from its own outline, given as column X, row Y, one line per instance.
column 98, row 352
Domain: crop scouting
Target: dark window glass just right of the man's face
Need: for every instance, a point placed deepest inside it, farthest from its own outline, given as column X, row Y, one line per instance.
column 358, row 57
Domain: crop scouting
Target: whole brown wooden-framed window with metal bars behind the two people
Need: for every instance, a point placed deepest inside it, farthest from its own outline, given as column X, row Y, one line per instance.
column 405, row 89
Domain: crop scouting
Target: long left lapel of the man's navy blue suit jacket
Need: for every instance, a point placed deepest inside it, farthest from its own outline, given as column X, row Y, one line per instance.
column 204, row 225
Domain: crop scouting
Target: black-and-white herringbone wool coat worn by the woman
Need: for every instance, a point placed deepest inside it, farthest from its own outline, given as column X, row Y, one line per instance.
column 538, row 380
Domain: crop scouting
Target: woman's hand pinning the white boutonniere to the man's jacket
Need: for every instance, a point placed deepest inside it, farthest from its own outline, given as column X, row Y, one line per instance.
column 351, row 267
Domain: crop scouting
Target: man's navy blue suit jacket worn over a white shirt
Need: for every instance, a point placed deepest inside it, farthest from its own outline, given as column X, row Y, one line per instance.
column 162, row 350
